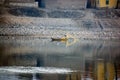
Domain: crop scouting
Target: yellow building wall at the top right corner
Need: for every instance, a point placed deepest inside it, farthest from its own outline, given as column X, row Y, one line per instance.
column 102, row 3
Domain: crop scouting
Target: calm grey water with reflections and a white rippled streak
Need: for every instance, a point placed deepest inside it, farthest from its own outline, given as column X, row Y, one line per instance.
column 43, row 59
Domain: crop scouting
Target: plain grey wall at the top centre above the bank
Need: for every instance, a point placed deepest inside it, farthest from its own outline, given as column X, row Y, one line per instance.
column 66, row 4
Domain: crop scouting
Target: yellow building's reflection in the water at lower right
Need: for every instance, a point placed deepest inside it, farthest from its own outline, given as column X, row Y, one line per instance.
column 105, row 70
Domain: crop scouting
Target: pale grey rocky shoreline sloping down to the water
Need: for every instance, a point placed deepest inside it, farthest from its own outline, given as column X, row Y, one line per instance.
column 86, row 27
